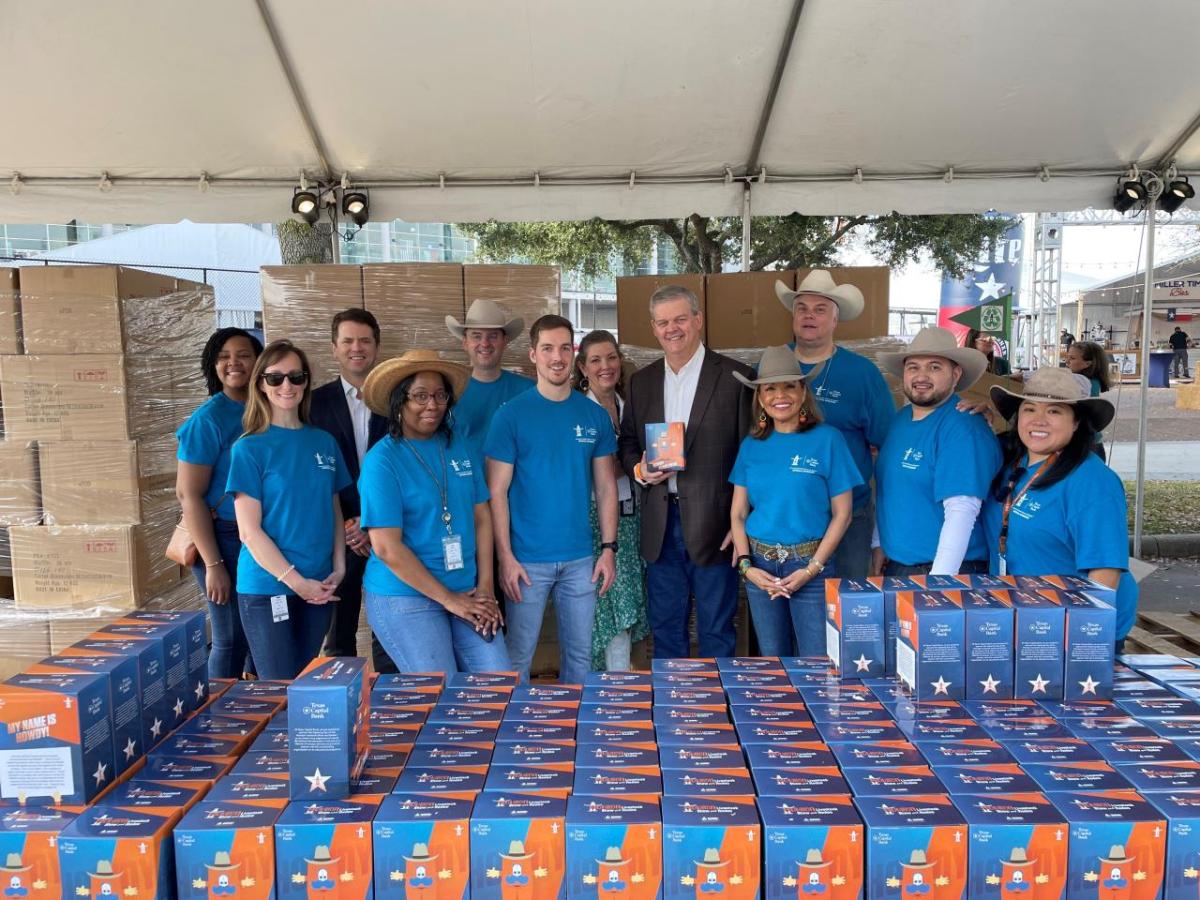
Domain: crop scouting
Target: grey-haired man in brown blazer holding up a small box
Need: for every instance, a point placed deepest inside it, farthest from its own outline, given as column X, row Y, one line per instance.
column 686, row 517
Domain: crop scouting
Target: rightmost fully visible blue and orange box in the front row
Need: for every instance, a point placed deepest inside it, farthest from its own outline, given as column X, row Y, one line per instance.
column 1118, row 845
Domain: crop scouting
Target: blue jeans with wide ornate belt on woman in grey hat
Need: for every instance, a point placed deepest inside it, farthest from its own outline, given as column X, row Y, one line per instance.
column 790, row 627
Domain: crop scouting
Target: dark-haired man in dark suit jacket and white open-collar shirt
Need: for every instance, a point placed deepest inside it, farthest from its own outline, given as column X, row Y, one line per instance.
column 338, row 407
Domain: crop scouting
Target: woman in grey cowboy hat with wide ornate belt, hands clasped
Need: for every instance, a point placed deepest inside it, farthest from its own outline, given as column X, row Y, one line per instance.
column 793, row 502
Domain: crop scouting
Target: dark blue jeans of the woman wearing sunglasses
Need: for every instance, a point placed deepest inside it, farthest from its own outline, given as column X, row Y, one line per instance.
column 283, row 649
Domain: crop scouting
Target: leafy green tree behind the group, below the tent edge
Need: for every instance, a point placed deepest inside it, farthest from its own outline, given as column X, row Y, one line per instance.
column 709, row 244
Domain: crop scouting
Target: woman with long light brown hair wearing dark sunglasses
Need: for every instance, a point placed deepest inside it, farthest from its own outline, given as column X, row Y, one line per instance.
column 285, row 476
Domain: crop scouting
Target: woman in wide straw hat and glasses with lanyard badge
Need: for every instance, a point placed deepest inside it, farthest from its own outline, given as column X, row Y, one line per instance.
column 430, row 597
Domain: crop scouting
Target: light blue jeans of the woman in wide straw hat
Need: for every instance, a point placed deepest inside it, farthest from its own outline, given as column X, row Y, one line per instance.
column 422, row 637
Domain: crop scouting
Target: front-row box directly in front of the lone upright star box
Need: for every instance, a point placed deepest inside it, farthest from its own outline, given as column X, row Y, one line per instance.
column 323, row 849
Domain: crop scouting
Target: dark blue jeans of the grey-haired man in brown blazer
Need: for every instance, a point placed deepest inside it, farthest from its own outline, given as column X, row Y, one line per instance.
column 671, row 584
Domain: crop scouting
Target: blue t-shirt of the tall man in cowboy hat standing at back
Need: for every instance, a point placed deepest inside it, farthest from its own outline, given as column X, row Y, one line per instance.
column 856, row 401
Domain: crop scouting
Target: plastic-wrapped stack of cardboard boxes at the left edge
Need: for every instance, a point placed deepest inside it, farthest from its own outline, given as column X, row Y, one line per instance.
column 103, row 370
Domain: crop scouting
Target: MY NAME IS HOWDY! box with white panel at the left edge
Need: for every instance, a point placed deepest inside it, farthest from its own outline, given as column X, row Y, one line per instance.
column 57, row 741
